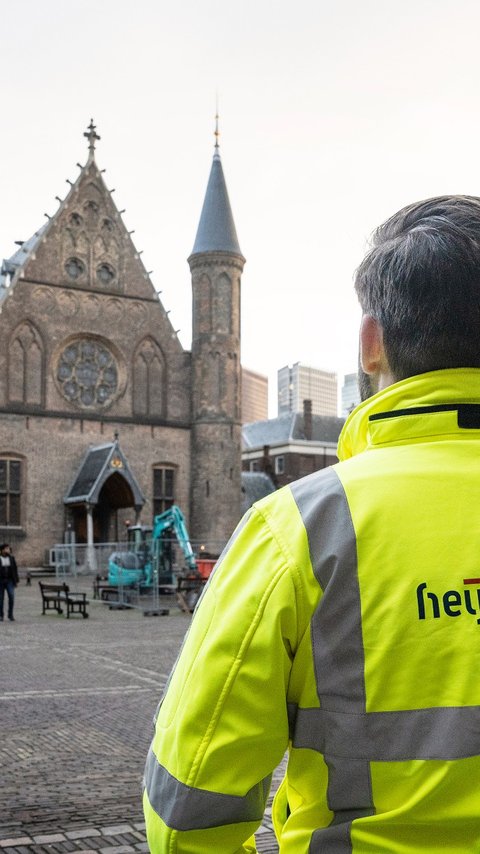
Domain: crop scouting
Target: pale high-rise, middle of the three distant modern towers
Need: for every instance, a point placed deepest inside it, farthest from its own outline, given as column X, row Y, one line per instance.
column 302, row 382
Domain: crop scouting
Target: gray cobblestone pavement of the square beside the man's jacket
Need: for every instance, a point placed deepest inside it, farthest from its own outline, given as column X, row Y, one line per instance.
column 77, row 698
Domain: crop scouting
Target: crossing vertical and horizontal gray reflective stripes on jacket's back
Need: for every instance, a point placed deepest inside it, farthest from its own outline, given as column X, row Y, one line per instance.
column 342, row 730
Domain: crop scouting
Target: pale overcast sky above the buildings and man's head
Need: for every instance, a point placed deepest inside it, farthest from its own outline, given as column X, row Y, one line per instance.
column 332, row 116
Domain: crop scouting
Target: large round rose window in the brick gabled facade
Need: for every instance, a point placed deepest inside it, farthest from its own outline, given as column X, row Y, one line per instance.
column 87, row 374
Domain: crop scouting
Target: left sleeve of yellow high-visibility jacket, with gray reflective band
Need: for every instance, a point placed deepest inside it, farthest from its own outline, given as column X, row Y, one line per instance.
column 222, row 726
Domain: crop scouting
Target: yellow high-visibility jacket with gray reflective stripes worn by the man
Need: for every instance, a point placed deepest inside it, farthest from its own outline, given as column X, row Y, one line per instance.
column 342, row 622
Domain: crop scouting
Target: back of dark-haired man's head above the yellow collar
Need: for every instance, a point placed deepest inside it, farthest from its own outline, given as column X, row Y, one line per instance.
column 421, row 281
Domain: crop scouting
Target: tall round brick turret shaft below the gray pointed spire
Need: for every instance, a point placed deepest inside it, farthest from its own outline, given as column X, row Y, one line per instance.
column 216, row 395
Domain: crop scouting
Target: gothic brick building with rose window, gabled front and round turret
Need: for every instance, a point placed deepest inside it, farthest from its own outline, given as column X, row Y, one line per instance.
column 103, row 415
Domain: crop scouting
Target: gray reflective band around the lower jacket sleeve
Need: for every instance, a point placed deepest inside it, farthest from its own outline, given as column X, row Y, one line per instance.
column 186, row 808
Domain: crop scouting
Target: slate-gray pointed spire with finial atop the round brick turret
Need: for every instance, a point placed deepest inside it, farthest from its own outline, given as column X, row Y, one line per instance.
column 216, row 229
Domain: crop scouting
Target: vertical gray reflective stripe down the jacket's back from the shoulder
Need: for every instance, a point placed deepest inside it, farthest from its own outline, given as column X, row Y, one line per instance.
column 337, row 647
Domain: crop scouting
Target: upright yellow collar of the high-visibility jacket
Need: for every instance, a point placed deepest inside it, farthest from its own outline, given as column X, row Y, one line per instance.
column 458, row 385
